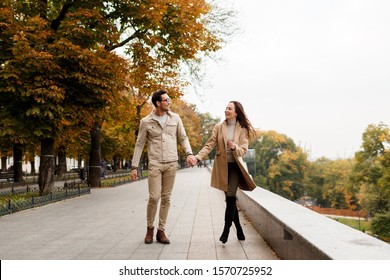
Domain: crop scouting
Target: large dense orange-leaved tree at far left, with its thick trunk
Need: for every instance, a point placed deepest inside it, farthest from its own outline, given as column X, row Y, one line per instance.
column 59, row 74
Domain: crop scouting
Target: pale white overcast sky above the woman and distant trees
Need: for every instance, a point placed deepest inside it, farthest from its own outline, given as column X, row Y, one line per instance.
column 317, row 71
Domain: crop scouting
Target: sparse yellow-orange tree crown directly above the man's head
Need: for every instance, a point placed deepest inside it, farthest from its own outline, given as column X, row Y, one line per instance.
column 165, row 36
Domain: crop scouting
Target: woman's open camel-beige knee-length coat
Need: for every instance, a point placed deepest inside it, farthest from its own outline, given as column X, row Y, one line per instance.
column 219, row 175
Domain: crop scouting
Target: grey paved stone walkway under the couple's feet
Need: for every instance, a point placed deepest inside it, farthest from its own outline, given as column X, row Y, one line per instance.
column 110, row 224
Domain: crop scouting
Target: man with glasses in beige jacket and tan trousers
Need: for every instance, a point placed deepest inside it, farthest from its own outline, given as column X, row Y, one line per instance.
column 160, row 130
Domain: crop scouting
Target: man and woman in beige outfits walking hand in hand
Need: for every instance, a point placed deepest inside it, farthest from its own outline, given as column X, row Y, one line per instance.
column 161, row 130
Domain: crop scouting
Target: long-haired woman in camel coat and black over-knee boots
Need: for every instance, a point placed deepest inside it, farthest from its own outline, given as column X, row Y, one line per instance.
column 229, row 173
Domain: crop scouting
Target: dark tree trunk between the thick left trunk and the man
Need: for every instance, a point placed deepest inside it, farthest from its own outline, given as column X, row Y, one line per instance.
column 94, row 168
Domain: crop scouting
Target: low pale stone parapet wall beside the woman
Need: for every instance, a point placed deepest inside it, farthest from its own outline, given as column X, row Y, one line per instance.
column 297, row 233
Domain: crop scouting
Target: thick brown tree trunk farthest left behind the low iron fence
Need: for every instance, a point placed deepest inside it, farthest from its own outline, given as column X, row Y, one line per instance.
column 46, row 166
